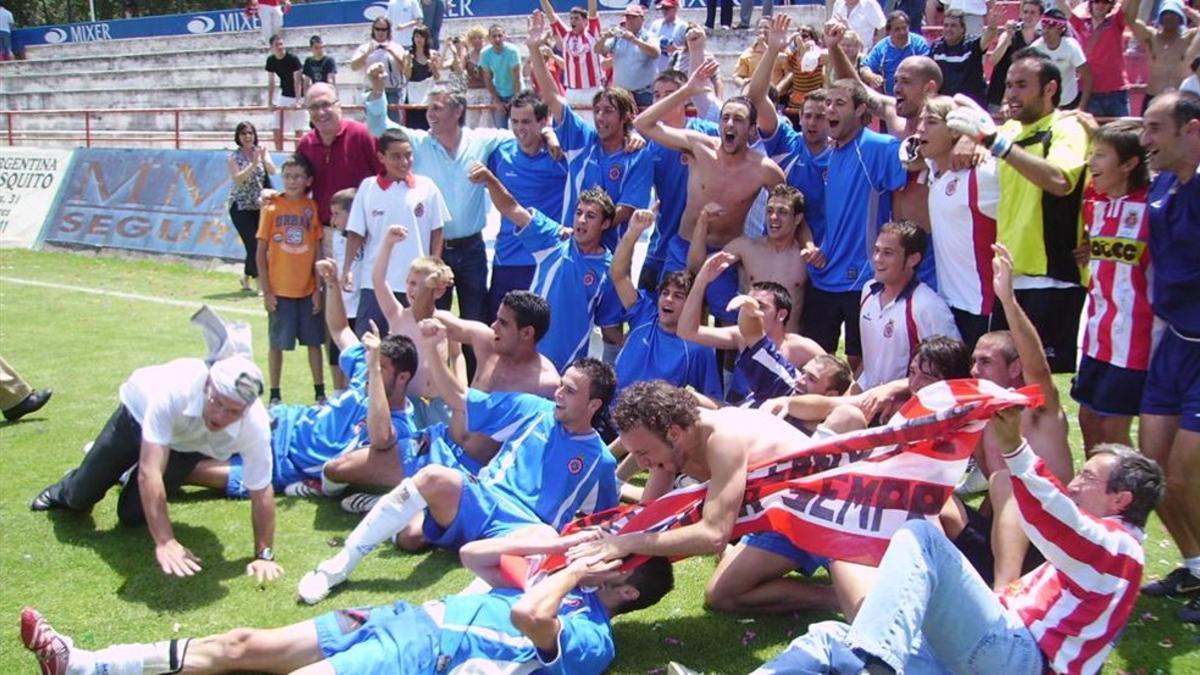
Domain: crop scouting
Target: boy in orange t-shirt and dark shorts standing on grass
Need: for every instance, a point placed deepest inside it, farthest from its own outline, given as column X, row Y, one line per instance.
column 291, row 236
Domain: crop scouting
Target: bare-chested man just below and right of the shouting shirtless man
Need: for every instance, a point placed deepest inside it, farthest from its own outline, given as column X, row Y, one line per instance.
column 782, row 256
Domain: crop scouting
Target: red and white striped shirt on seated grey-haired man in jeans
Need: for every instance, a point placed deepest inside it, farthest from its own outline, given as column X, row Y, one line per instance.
column 1076, row 604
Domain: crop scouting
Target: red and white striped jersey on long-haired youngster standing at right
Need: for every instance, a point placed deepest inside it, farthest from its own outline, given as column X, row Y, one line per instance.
column 1120, row 320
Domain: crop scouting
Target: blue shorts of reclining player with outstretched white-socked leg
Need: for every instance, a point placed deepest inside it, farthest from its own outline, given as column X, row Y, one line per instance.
column 483, row 515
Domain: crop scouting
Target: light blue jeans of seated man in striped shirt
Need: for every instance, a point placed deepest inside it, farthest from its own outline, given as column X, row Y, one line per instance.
column 928, row 613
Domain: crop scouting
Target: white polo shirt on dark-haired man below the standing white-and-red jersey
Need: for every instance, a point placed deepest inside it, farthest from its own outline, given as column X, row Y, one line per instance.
column 892, row 332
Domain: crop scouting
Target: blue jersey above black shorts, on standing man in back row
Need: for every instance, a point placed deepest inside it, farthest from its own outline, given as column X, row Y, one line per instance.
column 862, row 177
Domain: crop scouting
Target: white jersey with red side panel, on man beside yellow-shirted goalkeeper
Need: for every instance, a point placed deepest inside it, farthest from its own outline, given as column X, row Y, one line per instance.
column 964, row 230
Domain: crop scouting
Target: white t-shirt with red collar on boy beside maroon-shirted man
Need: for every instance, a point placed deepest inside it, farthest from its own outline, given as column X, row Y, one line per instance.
column 381, row 204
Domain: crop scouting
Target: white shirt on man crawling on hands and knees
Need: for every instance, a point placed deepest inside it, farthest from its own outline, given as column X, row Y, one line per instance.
column 169, row 403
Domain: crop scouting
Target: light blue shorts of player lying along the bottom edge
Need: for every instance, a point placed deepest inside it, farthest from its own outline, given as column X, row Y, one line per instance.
column 386, row 640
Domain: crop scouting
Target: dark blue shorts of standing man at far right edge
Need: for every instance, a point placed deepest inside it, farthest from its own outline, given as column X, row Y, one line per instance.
column 1173, row 386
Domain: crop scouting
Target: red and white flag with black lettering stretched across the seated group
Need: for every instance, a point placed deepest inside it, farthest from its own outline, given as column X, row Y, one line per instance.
column 843, row 498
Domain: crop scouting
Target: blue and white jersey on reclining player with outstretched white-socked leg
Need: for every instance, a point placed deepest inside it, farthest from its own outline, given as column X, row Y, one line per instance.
column 541, row 465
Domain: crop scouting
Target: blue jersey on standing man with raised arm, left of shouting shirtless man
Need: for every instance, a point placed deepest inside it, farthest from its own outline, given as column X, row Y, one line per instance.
column 626, row 177
